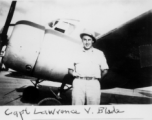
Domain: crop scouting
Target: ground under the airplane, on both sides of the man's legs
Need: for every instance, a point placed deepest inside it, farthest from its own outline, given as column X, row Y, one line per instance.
column 12, row 85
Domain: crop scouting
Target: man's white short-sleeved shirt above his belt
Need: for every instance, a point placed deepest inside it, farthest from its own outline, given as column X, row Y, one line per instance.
column 89, row 63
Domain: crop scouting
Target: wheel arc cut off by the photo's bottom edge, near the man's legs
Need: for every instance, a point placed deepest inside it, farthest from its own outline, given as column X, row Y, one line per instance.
column 49, row 101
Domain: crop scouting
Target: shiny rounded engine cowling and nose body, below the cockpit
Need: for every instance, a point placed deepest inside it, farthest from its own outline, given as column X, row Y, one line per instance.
column 39, row 52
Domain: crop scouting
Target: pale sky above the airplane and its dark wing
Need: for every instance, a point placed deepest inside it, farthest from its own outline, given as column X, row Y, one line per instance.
column 101, row 16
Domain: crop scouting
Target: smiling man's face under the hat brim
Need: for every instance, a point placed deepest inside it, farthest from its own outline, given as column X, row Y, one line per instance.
column 87, row 42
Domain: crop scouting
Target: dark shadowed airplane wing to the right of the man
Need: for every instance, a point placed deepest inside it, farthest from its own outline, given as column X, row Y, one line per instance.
column 128, row 50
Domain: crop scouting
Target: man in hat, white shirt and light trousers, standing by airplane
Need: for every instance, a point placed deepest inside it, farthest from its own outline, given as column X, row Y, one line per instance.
column 88, row 68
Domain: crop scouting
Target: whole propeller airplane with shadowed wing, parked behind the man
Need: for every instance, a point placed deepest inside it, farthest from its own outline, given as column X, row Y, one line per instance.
column 126, row 48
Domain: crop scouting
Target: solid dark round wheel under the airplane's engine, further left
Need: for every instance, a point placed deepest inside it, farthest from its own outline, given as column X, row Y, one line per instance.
column 30, row 94
